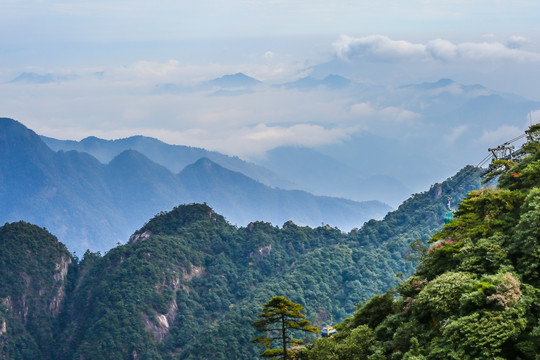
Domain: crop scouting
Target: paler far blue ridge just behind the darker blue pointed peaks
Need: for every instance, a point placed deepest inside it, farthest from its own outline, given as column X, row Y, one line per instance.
column 289, row 168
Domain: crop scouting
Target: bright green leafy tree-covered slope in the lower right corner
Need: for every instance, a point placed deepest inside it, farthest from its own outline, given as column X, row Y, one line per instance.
column 476, row 291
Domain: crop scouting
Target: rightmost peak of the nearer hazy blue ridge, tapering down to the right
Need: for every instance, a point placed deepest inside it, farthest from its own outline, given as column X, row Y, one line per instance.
column 234, row 193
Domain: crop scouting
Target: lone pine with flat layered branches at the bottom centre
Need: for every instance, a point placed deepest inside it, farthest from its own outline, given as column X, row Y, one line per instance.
column 281, row 317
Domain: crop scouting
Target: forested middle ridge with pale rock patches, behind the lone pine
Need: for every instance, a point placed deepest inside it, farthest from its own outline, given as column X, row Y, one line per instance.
column 189, row 284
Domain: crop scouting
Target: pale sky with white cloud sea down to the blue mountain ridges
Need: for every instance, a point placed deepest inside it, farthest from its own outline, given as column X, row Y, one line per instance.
column 97, row 66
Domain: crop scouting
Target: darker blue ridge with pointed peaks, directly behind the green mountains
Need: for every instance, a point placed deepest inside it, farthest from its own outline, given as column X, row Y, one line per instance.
column 93, row 205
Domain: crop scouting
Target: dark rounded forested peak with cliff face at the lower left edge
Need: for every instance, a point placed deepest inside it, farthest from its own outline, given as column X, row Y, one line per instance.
column 33, row 273
